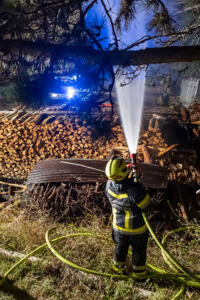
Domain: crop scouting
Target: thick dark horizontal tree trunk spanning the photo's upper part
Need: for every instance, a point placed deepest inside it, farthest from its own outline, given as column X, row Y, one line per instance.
column 124, row 58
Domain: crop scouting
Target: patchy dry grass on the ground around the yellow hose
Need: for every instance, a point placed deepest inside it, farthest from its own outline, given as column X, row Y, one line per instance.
column 50, row 279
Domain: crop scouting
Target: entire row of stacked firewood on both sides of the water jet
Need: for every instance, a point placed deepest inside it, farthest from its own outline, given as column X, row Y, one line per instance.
column 26, row 138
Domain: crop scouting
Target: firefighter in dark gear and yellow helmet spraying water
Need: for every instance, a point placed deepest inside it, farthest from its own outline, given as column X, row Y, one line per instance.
column 128, row 199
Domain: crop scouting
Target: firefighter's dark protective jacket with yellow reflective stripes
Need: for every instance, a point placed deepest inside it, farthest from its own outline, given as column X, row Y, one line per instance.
column 127, row 199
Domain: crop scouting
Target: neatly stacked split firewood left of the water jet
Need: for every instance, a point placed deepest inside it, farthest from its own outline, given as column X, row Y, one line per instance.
column 26, row 139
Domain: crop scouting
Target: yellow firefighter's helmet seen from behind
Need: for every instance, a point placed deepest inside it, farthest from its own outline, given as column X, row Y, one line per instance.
column 116, row 168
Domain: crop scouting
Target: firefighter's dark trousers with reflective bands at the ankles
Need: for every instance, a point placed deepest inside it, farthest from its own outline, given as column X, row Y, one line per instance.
column 139, row 248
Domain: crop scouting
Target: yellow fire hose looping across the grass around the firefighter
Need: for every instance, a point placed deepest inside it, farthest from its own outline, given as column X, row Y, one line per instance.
column 182, row 275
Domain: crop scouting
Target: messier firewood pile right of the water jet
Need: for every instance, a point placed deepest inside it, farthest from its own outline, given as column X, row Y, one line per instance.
column 182, row 162
